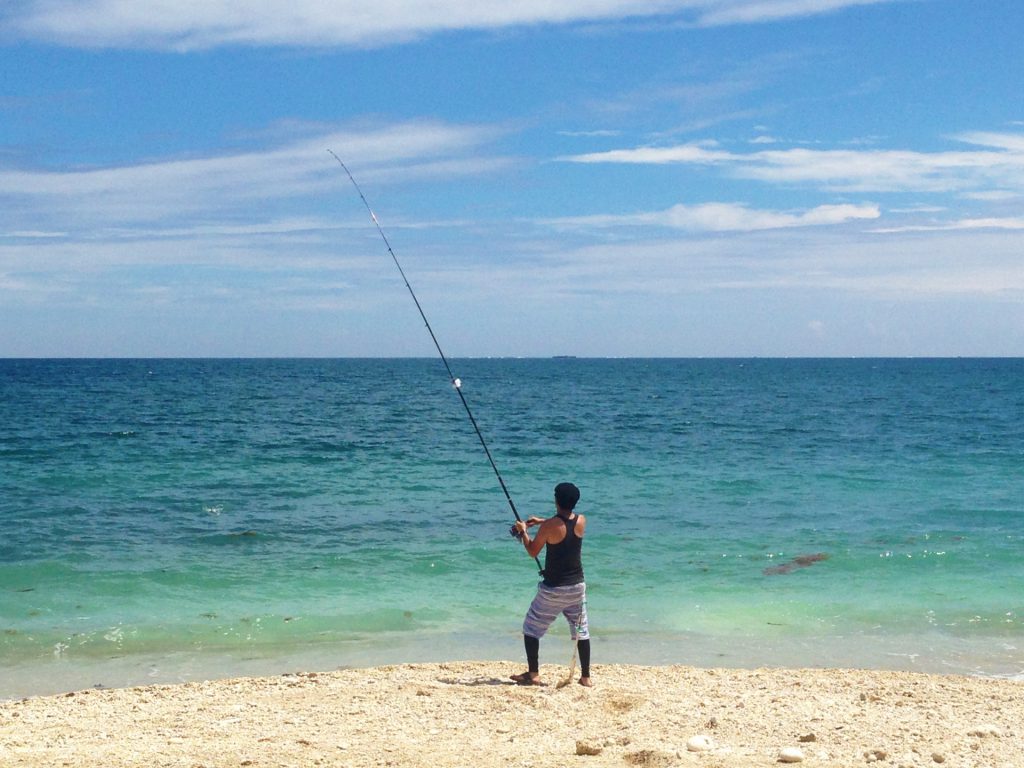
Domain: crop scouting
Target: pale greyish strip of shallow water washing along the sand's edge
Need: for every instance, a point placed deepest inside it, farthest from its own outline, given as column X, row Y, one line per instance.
column 942, row 655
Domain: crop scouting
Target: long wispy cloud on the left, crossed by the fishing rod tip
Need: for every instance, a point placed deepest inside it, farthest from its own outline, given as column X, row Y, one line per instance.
column 156, row 191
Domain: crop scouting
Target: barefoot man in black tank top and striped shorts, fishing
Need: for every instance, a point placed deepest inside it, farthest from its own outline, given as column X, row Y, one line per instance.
column 564, row 589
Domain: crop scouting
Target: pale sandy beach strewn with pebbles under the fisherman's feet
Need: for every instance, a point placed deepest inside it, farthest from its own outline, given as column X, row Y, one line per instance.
column 472, row 714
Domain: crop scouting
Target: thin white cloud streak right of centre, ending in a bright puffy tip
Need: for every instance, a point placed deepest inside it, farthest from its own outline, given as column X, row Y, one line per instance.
column 719, row 218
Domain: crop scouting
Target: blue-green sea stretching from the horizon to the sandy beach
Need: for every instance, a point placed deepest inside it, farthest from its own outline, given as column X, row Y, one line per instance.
column 173, row 520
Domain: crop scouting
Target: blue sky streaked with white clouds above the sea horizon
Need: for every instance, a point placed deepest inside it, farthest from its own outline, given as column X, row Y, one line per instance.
column 586, row 178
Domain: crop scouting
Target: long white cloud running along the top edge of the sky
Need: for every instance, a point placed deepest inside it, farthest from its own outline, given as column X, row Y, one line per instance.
column 205, row 24
